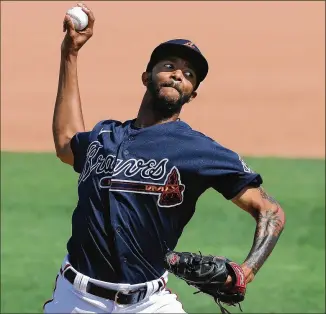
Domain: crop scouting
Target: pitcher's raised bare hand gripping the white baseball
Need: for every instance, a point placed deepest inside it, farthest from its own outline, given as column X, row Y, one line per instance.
column 74, row 40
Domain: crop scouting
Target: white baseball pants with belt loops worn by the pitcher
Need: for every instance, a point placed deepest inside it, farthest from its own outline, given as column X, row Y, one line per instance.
column 72, row 298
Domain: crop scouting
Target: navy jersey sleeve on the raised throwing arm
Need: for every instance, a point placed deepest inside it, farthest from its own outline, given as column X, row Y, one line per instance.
column 79, row 145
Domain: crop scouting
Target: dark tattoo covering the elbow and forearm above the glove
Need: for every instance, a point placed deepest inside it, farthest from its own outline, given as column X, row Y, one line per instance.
column 270, row 223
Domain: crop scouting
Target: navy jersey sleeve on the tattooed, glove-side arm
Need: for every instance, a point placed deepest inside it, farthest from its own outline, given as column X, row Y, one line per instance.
column 226, row 172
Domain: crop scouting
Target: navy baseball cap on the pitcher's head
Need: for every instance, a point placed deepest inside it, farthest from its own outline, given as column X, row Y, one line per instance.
column 182, row 48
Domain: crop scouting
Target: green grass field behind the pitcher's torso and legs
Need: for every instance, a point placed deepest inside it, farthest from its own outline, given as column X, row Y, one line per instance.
column 38, row 195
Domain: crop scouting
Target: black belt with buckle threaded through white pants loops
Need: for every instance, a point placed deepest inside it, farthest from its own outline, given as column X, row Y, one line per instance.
column 119, row 297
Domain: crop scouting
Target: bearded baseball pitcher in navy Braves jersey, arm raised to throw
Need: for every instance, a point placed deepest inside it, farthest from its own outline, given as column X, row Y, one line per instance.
column 139, row 181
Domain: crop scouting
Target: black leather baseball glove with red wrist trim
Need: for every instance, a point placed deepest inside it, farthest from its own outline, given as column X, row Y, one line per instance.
column 208, row 274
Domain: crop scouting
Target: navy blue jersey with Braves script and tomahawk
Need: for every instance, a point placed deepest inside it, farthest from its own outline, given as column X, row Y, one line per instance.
column 137, row 190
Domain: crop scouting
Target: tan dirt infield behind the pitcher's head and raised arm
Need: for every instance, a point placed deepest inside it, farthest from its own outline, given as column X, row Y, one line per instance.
column 264, row 94
